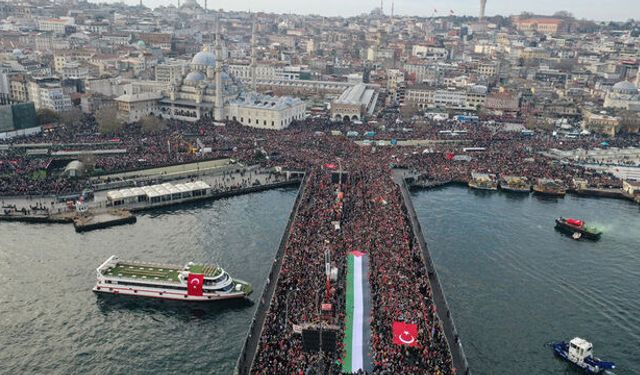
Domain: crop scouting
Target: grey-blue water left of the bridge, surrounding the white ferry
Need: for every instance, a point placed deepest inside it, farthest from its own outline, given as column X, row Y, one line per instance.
column 52, row 323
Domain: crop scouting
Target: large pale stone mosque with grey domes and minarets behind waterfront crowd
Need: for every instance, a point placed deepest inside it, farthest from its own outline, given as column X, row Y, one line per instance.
column 205, row 89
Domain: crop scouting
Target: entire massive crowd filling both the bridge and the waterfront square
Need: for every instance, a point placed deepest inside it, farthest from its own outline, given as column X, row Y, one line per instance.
column 372, row 215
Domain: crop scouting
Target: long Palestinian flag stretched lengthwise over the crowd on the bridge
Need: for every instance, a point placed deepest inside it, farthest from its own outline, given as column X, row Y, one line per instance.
column 357, row 338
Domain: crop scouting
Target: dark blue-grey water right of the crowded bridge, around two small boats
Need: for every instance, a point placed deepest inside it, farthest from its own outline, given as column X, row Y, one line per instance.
column 515, row 284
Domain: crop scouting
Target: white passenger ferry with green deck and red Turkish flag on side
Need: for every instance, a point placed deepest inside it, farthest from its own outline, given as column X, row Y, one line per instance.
column 193, row 282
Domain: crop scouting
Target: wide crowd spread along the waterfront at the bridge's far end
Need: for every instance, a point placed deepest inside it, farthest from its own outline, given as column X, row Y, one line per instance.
column 507, row 152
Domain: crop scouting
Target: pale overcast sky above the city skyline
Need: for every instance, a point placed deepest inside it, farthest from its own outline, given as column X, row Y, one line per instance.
column 591, row 9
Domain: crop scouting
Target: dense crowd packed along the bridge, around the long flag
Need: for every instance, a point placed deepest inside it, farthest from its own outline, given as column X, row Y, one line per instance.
column 372, row 220
